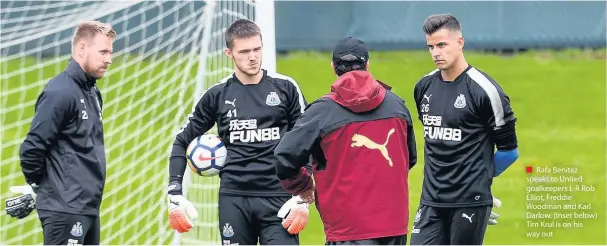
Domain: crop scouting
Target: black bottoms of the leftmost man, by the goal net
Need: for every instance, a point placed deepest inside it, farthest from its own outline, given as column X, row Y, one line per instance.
column 69, row 229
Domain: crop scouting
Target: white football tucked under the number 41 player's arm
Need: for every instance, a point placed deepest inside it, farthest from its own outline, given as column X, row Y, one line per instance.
column 206, row 155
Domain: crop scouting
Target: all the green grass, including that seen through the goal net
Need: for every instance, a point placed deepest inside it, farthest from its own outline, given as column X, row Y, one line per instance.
column 558, row 97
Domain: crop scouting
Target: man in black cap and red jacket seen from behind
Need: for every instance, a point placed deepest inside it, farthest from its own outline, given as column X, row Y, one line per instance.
column 361, row 139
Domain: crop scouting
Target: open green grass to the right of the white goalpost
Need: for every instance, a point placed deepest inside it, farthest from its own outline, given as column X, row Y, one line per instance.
column 559, row 100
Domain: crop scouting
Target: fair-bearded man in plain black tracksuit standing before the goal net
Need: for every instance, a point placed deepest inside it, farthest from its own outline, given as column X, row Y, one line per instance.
column 63, row 155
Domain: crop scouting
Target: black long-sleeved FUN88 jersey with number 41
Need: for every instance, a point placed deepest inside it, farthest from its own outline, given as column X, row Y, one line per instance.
column 251, row 119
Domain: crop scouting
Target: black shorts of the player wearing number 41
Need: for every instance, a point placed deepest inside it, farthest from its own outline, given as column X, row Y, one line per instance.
column 244, row 220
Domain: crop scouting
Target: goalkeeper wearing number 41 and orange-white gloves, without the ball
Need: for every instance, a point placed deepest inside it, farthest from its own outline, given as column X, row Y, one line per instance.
column 252, row 108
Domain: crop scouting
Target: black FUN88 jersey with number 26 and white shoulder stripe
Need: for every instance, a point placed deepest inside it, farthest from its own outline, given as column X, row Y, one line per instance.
column 460, row 119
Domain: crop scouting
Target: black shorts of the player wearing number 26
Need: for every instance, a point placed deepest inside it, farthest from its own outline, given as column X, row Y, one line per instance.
column 436, row 225
